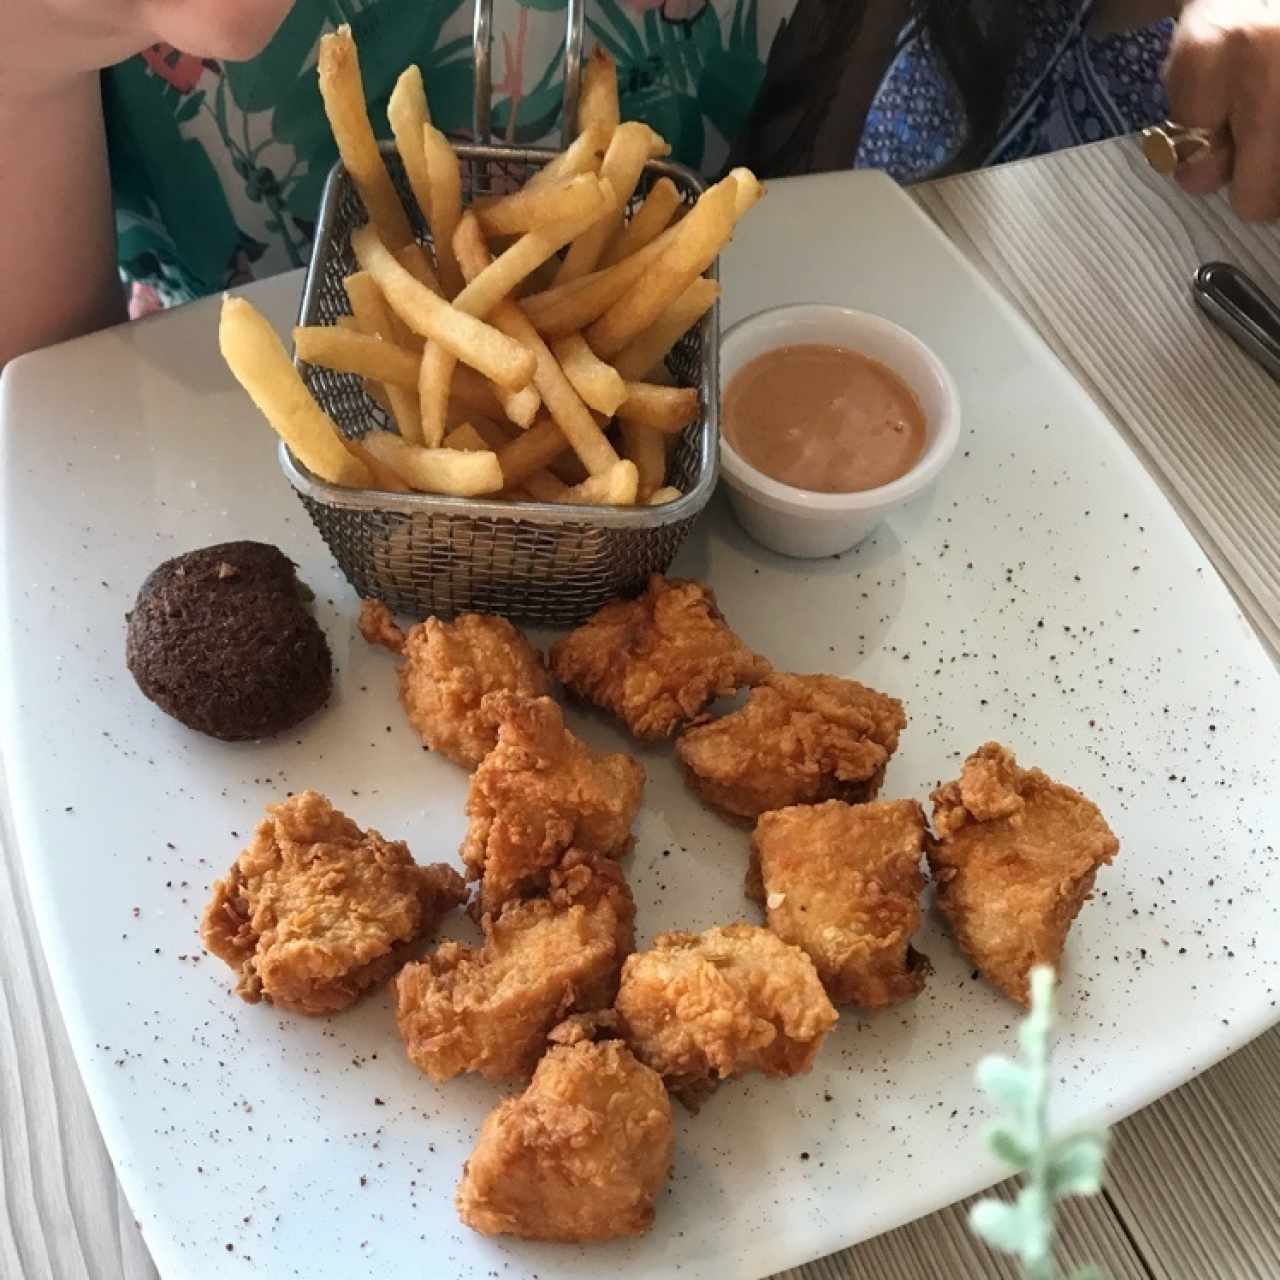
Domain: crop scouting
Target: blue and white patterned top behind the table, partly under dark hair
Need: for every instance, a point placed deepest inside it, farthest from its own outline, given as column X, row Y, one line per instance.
column 1068, row 88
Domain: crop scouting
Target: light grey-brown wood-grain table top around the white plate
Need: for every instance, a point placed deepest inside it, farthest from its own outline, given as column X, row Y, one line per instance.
column 1099, row 254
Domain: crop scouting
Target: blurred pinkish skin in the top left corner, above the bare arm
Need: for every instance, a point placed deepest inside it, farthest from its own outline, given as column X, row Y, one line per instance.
column 51, row 43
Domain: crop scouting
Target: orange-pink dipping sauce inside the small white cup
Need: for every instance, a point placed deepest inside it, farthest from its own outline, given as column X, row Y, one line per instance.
column 826, row 419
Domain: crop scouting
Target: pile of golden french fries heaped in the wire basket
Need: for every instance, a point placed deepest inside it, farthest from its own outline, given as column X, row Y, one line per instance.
column 528, row 359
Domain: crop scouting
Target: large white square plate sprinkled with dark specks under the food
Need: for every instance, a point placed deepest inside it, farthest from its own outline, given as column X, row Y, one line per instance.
column 1045, row 596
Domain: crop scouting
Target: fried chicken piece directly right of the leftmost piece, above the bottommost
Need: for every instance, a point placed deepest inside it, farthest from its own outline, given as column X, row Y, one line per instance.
column 490, row 1011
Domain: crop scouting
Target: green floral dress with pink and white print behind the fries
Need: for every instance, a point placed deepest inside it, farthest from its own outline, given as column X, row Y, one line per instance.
column 218, row 167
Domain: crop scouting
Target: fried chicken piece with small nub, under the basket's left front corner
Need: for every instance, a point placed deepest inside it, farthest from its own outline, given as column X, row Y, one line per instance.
column 449, row 669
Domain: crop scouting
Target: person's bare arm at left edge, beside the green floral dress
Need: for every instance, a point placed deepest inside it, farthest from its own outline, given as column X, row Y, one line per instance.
column 57, row 228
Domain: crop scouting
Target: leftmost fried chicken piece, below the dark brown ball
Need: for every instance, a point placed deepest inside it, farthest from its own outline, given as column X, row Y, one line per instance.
column 316, row 911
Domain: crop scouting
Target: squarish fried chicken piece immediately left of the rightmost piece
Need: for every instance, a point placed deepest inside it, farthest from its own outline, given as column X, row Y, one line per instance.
column 843, row 883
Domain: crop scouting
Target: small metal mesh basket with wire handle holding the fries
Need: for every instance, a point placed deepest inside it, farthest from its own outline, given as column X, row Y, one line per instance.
column 540, row 563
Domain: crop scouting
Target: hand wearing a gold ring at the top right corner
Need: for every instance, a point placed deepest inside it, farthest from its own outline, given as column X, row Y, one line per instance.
column 1224, row 76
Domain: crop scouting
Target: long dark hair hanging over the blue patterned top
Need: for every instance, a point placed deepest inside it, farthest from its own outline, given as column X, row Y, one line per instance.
column 830, row 57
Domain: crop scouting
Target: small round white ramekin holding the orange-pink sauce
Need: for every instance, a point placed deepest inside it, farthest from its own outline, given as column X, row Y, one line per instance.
column 803, row 523
